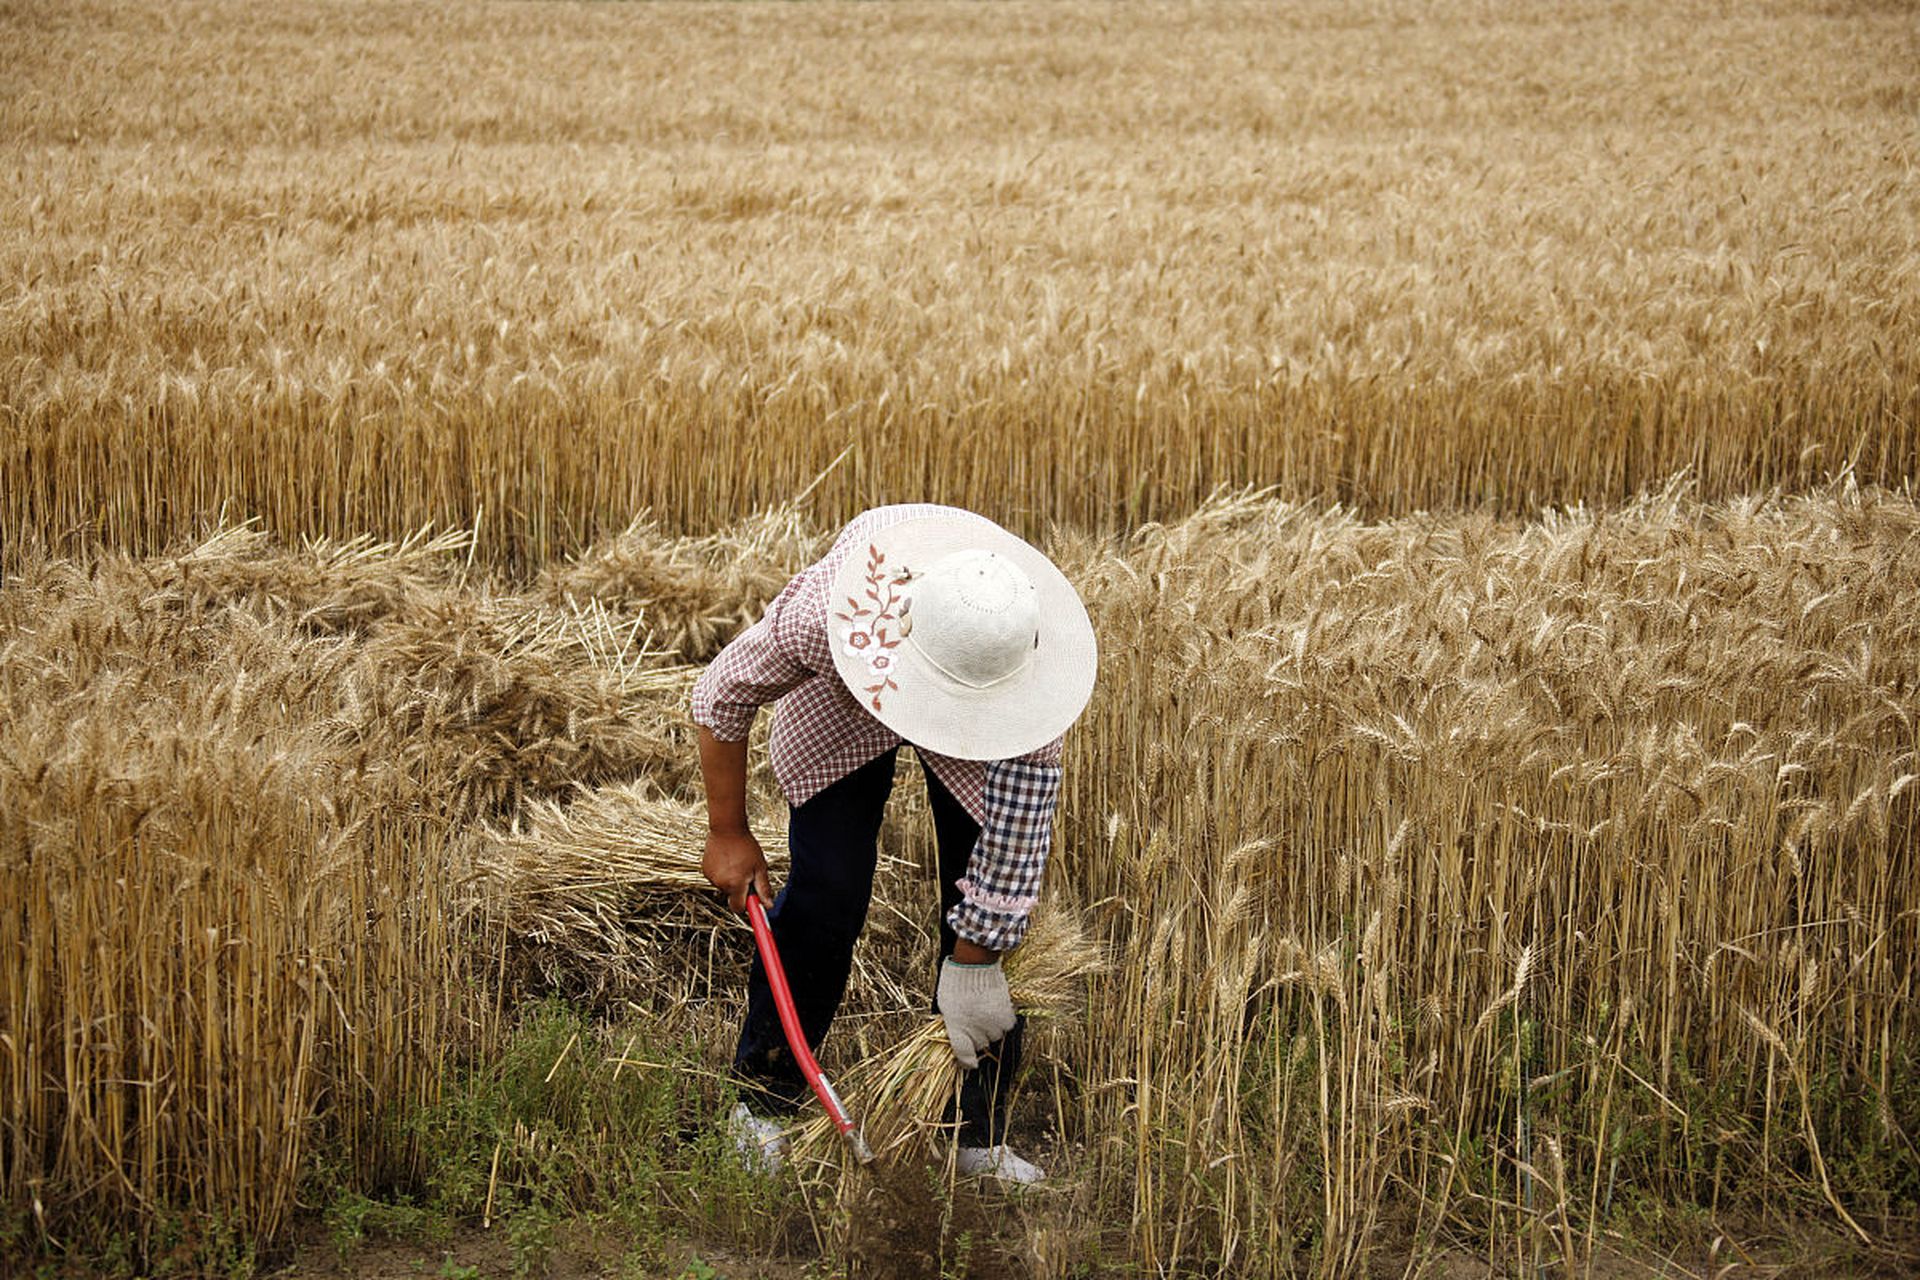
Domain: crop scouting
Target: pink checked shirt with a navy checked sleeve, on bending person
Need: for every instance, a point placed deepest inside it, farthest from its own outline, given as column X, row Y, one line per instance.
column 823, row 734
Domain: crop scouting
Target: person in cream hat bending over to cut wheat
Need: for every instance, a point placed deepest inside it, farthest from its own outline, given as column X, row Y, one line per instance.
column 928, row 627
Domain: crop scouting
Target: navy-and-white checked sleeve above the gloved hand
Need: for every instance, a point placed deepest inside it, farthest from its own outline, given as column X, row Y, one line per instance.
column 1003, row 878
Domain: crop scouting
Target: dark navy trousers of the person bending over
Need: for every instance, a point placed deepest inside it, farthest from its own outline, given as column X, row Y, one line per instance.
column 817, row 920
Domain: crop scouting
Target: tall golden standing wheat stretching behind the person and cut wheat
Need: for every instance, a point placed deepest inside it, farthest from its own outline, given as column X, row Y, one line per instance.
column 354, row 272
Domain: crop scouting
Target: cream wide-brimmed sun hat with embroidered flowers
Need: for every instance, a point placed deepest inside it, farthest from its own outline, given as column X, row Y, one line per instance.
column 961, row 638
